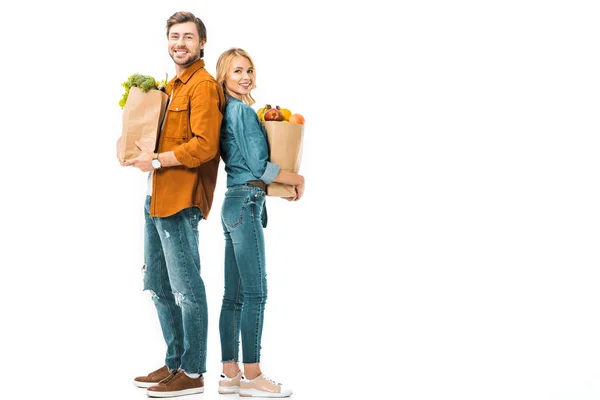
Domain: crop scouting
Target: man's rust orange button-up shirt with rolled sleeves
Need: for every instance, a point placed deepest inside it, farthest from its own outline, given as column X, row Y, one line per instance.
column 191, row 129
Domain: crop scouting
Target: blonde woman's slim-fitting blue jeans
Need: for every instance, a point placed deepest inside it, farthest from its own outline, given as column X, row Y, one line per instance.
column 245, row 294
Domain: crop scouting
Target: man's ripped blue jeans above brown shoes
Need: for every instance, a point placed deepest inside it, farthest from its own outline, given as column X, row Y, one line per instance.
column 172, row 274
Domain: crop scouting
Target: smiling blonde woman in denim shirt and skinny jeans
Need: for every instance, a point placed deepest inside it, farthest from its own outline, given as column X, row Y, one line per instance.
column 244, row 151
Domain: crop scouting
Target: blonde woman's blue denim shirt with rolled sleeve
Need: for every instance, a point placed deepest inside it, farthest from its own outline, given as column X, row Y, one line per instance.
column 244, row 147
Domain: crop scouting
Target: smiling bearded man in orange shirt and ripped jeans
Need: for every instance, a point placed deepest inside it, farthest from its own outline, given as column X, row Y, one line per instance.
column 181, row 184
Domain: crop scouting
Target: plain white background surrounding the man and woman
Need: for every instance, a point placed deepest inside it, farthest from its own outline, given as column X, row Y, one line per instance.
column 447, row 244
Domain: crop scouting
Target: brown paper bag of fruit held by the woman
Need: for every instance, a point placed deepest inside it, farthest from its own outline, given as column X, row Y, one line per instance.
column 285, row 149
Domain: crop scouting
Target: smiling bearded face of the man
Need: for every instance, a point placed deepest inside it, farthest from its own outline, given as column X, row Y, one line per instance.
column 184, row 43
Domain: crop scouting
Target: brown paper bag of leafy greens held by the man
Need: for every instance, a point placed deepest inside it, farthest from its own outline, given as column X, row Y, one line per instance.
column 142, row 120
